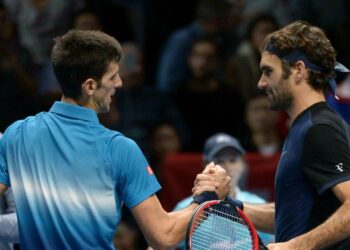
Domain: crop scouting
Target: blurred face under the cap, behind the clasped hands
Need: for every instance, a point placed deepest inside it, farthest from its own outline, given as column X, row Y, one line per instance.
column 232, row 162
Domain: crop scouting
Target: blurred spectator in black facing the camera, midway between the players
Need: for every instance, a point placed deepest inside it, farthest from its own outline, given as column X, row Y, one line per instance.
column 203, row 99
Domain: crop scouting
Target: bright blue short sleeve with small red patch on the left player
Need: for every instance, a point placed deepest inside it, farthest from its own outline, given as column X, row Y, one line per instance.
column 134, row 177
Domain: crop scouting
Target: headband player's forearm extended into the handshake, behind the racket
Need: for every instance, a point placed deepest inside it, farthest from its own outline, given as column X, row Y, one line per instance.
column 262, row 216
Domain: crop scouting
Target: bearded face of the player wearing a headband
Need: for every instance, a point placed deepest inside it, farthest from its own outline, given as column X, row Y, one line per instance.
column 278, row 89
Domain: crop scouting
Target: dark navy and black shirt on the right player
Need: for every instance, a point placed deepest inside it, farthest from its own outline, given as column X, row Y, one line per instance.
column 315, row 158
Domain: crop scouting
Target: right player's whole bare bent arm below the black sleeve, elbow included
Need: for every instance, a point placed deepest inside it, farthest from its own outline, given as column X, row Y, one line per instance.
column 334, row 229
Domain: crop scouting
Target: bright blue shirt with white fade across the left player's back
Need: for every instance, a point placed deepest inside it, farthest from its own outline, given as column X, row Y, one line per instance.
column 70, row 176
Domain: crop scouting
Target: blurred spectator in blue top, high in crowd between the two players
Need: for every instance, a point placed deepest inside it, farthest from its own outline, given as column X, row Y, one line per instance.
column 211, row 20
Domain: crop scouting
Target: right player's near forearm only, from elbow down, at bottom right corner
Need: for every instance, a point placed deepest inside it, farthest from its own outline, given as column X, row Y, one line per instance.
column 333, row 230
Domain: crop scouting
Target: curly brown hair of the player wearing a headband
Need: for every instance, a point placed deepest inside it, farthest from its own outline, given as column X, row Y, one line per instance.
column 312, row 42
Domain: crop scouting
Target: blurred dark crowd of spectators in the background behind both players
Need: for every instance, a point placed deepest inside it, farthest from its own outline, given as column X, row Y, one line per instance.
column 189, row 68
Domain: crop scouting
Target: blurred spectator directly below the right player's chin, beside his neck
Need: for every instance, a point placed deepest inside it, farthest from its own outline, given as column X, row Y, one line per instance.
column 263, row 123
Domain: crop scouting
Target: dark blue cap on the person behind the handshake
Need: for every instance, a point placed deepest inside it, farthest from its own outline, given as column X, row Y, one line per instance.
column 217, row 142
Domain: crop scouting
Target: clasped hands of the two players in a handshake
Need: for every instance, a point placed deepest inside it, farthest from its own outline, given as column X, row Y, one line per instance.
column 213, row 178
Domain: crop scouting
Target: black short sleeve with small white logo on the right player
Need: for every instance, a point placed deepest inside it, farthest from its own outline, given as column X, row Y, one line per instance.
column 326, row 157
